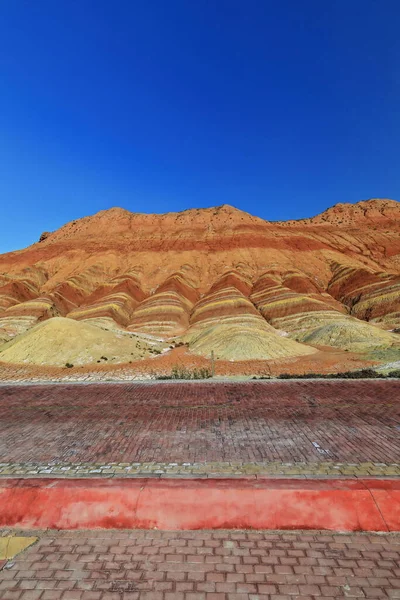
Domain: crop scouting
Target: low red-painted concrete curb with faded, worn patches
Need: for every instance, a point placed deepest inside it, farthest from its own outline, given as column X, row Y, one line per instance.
column 265, row 503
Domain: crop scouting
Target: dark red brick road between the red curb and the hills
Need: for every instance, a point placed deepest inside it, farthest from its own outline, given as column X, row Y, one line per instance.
column 304, row 422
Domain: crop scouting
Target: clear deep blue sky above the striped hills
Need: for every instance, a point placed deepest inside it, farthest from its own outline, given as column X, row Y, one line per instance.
column 281, row 108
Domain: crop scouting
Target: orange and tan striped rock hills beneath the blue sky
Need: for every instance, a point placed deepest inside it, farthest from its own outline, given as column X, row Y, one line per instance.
column 216, row 279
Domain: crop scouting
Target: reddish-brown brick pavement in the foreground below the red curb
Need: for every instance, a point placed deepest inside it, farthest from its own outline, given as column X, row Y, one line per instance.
column 203, row 565
